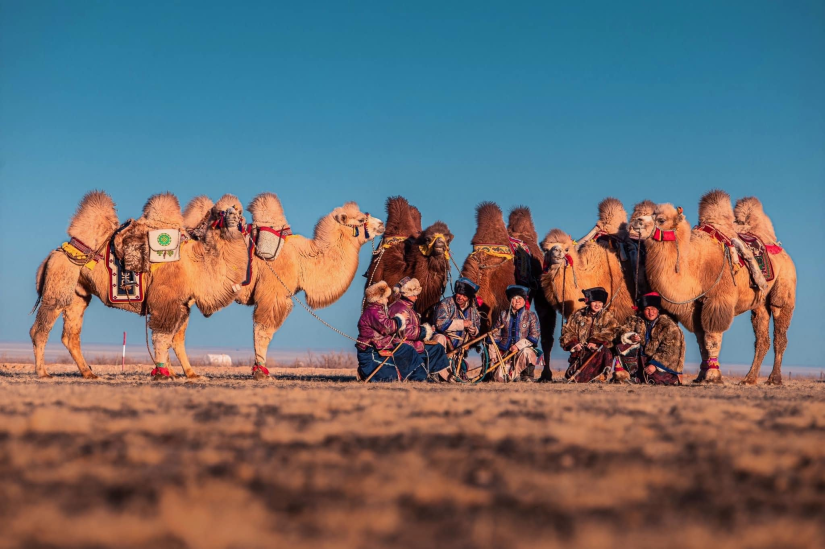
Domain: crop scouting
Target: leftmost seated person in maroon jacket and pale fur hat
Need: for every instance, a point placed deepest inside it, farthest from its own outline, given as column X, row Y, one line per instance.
column 380, row 355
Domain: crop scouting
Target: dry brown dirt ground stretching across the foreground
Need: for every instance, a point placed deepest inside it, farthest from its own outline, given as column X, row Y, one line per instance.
column 314, row 459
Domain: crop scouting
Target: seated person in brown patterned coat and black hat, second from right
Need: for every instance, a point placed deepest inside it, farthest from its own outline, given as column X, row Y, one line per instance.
column 588, row 336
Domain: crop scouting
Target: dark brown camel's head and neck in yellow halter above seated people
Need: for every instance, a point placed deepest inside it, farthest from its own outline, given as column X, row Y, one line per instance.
column 428, row 260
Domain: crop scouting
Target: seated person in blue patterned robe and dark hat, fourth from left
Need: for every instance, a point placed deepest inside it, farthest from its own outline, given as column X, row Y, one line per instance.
column 516, row 336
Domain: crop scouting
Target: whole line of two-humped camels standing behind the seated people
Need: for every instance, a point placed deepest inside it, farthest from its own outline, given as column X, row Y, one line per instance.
column 731, row 262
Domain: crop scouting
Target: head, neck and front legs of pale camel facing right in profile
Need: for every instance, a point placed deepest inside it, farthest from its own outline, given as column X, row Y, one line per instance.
column 323, row 267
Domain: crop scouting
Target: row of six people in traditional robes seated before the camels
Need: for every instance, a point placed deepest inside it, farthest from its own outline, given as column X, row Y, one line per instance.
column 394, row 344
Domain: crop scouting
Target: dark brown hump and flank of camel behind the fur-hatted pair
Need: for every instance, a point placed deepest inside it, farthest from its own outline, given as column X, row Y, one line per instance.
column 389, row 261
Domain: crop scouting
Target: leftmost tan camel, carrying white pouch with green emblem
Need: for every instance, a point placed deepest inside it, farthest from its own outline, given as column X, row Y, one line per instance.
column 204, row 275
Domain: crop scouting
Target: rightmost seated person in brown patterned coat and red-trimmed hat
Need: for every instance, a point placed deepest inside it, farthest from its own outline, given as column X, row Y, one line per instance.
column 652, row 345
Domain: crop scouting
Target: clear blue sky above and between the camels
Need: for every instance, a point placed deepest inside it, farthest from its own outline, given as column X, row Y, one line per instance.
column 553, row 105
